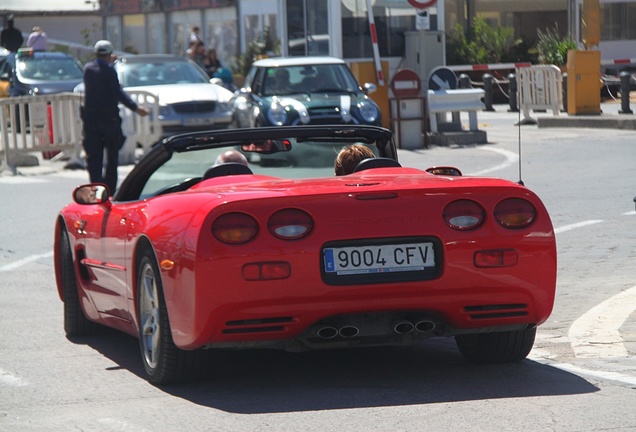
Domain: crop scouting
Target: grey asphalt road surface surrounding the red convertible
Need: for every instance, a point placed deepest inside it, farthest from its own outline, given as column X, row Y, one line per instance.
column 581, row 376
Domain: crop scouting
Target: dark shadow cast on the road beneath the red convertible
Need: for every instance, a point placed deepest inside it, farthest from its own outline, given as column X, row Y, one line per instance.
column 268, row 381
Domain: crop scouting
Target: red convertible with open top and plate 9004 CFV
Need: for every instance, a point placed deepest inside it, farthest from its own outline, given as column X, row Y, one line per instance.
column 190, row 256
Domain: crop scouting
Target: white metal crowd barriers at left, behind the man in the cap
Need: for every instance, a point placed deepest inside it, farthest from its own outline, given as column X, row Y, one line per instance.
column 52, row 123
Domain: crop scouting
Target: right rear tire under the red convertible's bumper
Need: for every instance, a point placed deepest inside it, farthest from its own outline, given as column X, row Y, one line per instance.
column 500, row 347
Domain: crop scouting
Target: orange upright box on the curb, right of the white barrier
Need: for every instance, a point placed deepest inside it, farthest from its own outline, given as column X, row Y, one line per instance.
column 583, row 85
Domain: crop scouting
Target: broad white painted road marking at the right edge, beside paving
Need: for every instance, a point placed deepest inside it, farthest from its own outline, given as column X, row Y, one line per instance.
column 596, row 333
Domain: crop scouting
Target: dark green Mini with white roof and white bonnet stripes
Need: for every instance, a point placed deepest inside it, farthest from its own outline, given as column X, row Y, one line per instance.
column 301, row 91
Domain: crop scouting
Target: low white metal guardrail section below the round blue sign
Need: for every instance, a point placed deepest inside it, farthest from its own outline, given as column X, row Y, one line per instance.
column 441, row 102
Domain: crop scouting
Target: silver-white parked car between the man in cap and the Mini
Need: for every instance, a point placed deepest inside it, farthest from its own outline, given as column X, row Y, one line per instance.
column 188, row 101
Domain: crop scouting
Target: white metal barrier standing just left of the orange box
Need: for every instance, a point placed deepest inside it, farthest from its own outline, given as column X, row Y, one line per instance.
column 541, row 88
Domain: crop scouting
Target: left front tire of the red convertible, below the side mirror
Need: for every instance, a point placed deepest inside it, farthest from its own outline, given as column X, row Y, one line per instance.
column 75, row 322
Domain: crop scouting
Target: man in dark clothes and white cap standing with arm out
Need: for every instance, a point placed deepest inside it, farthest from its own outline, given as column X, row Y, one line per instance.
column 100, row 116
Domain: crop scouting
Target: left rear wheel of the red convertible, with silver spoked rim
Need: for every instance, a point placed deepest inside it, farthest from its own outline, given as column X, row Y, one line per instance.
column 163, row 361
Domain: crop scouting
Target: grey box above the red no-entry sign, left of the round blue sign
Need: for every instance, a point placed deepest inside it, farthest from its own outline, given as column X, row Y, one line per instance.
column 424, row 51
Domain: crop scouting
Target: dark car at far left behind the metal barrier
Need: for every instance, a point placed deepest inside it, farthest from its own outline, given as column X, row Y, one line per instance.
column 30, row 72
